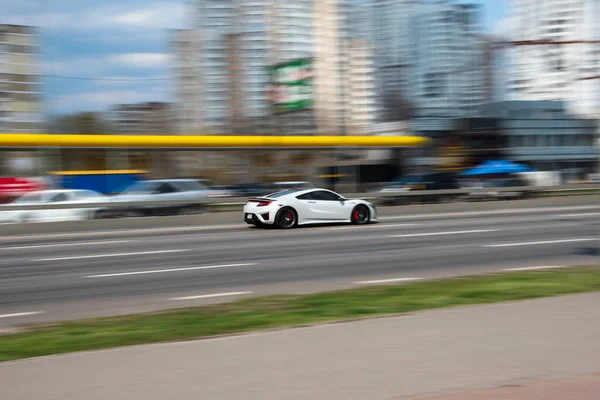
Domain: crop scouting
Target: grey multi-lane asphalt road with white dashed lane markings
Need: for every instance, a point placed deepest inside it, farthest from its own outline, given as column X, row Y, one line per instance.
column 57, row 276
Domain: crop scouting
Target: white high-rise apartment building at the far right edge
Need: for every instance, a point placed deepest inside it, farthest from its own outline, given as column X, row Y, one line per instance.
column 562, row 69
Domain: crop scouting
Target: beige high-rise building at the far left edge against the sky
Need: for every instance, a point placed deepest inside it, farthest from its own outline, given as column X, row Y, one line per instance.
column 20, row 84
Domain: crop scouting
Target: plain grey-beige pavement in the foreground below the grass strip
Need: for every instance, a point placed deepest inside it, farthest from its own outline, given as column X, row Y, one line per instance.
column 426, row 353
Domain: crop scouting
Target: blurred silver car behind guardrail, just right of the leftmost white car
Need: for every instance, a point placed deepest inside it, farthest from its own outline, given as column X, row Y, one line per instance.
column 189, row 195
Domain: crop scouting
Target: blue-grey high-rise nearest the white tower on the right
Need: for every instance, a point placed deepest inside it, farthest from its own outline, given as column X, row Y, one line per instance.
column 448, row 59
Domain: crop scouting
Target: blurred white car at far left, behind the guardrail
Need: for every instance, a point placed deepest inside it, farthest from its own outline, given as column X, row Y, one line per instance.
column 74, row 198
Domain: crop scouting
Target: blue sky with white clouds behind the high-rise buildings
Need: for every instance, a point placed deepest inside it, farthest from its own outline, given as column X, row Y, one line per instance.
column 118, row 48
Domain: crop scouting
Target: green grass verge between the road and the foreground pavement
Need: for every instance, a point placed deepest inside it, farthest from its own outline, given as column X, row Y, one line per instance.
column 288, row 311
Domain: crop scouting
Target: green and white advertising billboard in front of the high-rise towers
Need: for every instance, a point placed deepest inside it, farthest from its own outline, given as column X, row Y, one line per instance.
column 291, row 85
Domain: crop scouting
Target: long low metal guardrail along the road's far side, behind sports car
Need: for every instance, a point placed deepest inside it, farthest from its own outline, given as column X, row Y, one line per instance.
column 366, row 196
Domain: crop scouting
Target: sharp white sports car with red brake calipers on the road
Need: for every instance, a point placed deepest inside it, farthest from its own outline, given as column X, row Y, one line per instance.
column 290, row 208
